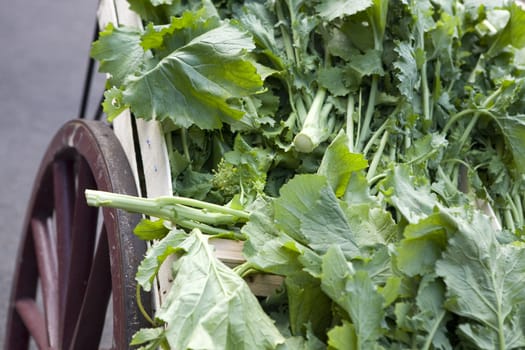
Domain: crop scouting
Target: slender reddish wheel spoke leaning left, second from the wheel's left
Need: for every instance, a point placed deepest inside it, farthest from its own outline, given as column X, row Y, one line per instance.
column 48, row 277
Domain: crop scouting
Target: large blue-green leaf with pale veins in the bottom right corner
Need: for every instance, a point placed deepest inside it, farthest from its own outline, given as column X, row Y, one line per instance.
column 484, row 282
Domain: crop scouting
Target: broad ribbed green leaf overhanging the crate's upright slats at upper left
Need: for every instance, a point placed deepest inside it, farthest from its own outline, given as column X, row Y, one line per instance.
column 196, row 83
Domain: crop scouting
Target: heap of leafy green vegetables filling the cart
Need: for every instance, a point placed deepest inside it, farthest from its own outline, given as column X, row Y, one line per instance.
column 371, row 153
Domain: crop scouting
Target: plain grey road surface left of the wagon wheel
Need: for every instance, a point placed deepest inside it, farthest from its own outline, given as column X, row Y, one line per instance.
column 44, row 48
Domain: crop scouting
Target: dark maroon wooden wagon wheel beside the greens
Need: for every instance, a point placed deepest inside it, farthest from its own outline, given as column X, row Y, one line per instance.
column 72, row 259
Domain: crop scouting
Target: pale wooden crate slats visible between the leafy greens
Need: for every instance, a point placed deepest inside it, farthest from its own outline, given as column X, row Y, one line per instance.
column 155, row 165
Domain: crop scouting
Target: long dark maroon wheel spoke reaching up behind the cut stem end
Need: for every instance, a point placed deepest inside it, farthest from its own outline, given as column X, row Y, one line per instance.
column 82, row 245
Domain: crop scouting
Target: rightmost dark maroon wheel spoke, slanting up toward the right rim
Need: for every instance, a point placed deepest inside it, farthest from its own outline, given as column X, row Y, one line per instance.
column 92, row 315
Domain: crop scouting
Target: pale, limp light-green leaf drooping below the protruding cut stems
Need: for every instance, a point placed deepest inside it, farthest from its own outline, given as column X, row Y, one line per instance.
column 210, row 307
